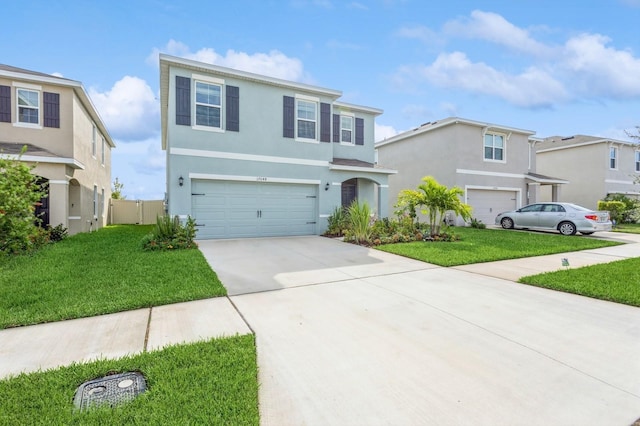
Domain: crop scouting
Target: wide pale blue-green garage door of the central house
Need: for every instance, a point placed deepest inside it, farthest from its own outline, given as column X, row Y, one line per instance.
column 253, row 209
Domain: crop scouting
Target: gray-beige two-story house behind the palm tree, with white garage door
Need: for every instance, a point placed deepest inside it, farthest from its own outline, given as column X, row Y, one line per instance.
column 495, row 165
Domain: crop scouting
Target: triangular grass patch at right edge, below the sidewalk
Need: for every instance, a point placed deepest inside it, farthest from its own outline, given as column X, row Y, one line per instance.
column 616, row 281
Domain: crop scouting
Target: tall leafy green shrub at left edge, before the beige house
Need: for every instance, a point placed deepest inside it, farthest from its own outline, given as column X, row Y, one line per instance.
column 19, row 193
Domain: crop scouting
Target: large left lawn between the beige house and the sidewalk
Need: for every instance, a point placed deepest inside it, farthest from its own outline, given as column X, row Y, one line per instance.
column 98, row 273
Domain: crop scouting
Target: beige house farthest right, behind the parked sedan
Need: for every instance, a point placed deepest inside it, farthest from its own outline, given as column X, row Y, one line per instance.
column 593, row 166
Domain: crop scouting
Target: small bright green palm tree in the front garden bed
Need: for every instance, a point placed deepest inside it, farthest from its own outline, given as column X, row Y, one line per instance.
column 434, row 200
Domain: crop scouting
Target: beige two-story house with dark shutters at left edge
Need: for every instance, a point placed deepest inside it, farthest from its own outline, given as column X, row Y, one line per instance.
column 66, row 140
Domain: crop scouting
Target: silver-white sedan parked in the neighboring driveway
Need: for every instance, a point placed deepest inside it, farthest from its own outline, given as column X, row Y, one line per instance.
column 567, row 218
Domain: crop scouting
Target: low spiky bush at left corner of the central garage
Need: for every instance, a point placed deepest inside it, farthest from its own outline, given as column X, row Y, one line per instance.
column 170, row 234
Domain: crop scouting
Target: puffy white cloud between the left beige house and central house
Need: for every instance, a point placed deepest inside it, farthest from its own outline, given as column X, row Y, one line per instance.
column 130, row 109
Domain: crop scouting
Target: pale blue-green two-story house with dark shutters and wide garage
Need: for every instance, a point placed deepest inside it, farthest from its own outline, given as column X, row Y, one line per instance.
column 250, row 155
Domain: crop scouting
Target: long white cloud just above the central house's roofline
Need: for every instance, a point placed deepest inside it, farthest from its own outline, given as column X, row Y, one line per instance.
column 273, row 64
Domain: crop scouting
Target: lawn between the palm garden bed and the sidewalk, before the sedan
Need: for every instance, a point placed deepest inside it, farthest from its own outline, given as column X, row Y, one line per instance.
column 486, row 245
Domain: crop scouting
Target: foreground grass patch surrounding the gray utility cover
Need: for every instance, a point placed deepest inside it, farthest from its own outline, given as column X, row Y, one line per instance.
column 212, row 382
